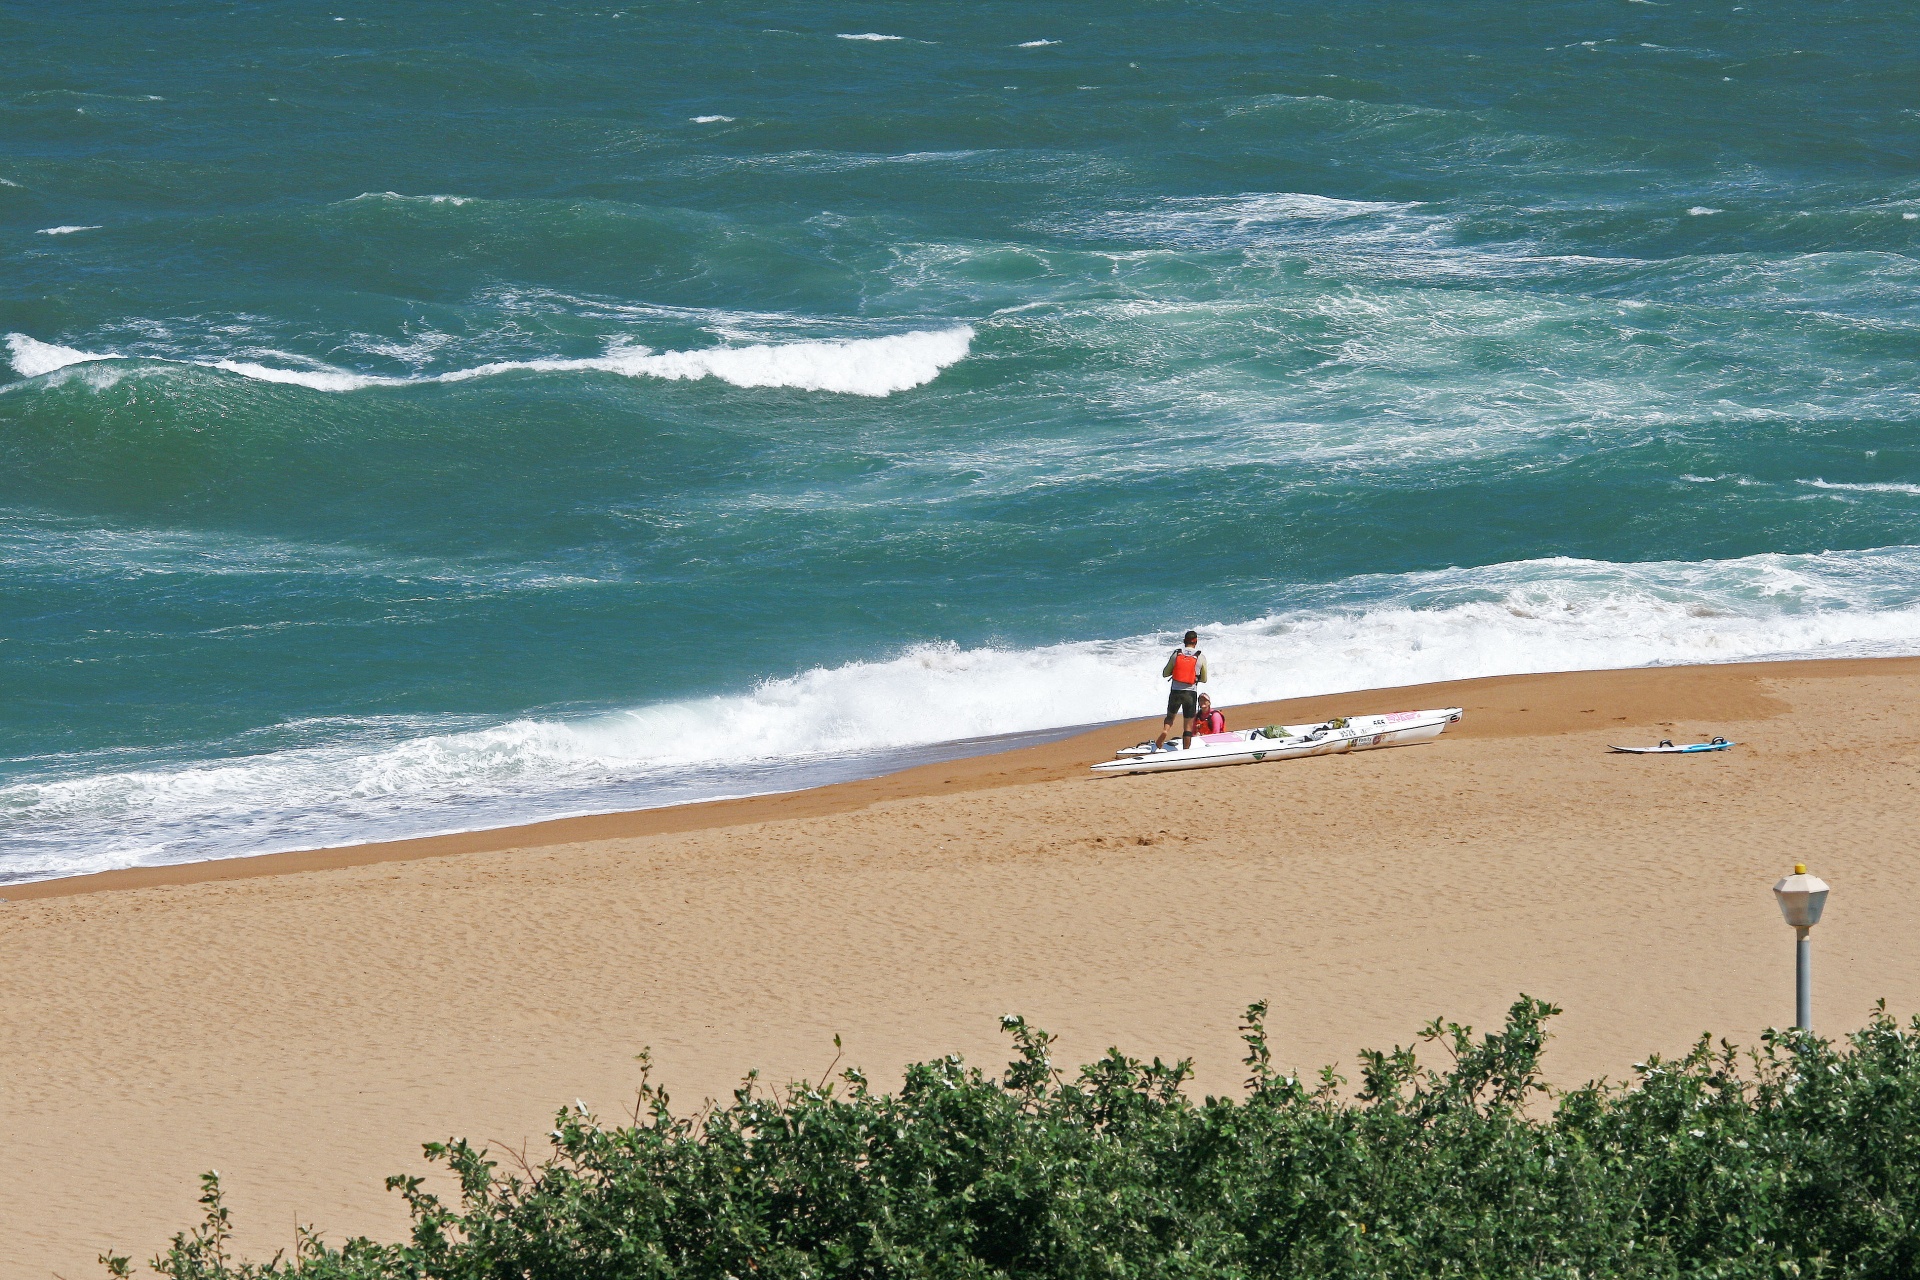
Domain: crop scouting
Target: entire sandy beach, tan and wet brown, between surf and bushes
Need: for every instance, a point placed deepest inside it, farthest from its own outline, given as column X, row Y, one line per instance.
column 304, row 1022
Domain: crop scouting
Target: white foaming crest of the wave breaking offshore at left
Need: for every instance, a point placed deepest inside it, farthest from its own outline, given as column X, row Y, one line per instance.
column 850, row 366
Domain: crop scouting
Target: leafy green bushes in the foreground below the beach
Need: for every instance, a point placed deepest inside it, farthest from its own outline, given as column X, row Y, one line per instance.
column 1798, row 1160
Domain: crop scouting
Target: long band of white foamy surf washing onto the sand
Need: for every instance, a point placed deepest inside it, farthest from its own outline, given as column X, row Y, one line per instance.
column 1368, row 632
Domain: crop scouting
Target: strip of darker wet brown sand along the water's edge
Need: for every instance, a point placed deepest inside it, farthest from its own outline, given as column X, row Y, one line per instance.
column 1053, row 761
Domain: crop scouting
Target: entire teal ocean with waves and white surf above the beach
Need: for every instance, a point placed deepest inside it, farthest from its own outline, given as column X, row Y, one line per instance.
column 446, row 414
